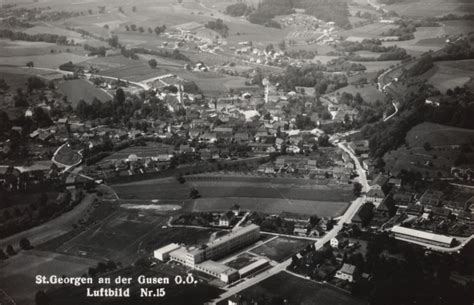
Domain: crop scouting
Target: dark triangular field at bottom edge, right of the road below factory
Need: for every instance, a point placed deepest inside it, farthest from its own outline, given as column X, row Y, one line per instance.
column 298, row 291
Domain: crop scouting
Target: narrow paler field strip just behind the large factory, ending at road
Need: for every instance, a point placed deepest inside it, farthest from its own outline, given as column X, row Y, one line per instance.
column 271, row 206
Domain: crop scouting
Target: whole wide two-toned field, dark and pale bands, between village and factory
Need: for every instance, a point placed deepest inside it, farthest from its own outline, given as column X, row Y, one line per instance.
column 264, row 195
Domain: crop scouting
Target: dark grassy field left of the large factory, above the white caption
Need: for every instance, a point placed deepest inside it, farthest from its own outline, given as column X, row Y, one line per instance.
column 125, row 234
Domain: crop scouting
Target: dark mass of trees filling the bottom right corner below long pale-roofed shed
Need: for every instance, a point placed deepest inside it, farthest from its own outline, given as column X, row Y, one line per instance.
column 419, row 278
